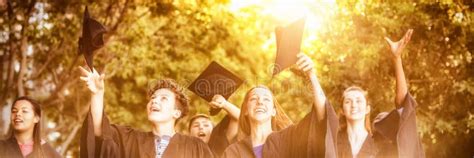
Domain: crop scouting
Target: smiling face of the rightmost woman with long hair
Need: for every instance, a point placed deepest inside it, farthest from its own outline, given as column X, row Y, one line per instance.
column 355, row 105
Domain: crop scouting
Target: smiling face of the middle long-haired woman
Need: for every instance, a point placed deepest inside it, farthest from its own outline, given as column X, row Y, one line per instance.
column 260, row 107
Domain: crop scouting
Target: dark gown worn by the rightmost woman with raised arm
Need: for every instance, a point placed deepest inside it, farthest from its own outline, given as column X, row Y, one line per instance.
column 394, row 135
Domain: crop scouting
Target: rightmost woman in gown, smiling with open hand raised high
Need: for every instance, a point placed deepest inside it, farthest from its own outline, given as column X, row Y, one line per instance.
column 392, row 134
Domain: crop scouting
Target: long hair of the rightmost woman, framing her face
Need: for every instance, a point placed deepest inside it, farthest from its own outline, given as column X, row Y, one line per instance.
column 342, row 120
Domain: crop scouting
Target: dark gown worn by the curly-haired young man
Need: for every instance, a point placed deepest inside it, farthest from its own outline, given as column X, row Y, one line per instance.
column 125, row 142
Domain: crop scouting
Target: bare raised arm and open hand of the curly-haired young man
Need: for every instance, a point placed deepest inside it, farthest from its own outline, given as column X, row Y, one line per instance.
column 95, row 83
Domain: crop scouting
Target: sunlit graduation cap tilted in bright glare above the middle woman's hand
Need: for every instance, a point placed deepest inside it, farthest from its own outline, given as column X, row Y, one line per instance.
column 288, row 40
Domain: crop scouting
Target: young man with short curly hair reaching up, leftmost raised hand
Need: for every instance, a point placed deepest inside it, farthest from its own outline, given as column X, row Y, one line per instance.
column 167, row 104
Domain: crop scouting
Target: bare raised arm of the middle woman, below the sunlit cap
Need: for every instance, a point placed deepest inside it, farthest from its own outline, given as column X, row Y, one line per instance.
column 306, row 65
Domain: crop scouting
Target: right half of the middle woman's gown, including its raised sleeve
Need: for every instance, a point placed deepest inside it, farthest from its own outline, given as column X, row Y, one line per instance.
column 308, row 138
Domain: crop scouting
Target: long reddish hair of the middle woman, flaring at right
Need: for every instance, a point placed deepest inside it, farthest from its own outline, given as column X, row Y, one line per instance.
column 279, row 121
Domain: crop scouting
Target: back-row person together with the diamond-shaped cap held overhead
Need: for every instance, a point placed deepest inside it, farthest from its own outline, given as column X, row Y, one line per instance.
column 216, row 84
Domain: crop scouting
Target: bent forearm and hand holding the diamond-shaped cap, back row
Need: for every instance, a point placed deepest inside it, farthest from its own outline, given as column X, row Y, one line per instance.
column 233, row 111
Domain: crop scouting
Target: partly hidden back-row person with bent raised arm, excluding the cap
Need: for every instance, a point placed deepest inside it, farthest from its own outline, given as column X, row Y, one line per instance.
column 224, row 133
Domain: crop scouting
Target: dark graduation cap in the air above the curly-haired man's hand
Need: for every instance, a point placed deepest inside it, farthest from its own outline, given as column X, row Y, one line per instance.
column 91, row 40
